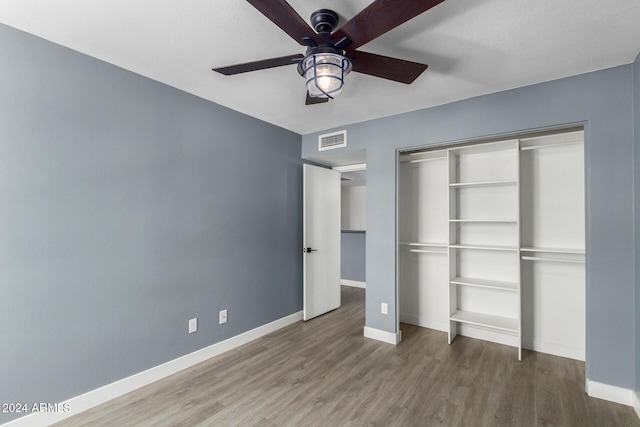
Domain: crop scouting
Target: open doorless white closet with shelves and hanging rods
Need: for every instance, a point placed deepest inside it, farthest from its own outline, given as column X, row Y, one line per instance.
column 491, row 241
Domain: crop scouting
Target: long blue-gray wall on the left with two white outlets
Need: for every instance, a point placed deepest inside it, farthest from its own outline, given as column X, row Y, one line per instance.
column 126, row 208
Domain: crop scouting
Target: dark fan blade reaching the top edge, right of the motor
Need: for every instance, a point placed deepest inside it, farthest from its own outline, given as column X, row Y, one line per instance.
column 378, row 18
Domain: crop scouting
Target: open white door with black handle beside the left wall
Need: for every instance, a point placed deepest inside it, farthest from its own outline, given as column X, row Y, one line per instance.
column 321, row 240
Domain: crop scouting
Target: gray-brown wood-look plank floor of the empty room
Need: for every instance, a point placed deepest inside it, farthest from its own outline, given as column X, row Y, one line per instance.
column 325, row 373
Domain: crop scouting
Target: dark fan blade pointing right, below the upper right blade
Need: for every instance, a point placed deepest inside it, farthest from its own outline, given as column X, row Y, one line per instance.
column 386, row 67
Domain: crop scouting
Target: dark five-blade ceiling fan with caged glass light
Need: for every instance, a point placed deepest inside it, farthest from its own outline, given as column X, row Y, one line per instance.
column 330, row 54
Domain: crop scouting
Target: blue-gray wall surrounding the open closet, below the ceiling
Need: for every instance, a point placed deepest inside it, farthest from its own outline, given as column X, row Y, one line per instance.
column 603, row 102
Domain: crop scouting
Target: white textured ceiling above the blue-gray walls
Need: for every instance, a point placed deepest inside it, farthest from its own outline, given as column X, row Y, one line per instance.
column 473, row 47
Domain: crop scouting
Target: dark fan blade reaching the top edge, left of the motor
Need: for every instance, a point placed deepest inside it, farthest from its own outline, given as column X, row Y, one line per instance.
column 284, row 16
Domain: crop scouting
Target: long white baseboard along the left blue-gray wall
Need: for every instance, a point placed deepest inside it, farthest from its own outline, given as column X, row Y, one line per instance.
column 111, row 391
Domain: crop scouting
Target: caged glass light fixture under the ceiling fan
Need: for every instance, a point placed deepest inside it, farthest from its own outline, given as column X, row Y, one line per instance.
column 324, row 73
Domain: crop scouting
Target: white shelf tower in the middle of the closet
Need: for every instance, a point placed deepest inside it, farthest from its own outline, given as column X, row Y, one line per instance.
column 484, row 283
